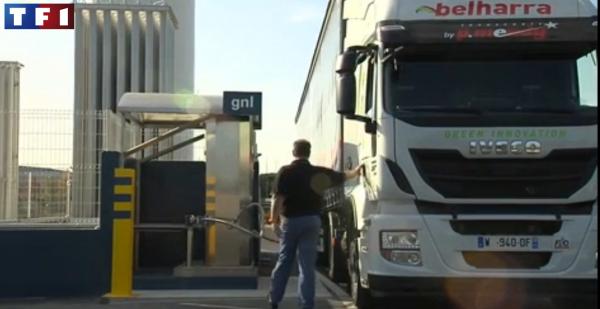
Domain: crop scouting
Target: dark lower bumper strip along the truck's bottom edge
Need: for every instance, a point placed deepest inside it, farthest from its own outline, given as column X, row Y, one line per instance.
column 384, row 286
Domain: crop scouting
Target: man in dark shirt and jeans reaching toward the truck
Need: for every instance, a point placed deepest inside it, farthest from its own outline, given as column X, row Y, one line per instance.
column 296, row 213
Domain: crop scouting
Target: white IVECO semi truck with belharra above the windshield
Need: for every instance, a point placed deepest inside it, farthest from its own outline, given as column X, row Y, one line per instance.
column 477, row 123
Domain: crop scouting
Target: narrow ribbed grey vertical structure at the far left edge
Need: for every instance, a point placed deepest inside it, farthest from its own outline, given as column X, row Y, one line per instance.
column 9, row 139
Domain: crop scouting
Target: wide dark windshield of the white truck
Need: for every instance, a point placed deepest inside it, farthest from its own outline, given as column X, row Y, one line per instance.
column 551, row 86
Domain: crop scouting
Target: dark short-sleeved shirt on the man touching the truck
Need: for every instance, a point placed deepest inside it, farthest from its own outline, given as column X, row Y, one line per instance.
column 303, row 186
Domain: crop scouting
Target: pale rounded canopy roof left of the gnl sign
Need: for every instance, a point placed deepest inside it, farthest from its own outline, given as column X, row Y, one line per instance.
column 168, row 110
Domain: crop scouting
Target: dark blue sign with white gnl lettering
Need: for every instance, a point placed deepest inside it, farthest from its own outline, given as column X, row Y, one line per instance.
column 249, row 104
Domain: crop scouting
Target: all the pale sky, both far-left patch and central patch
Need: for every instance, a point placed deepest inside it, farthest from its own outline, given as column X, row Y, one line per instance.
column 246, row 45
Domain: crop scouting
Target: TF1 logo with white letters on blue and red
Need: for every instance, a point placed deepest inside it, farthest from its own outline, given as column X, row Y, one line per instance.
column 39, row 16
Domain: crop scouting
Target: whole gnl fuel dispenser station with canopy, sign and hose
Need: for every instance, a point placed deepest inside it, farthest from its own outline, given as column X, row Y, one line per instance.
column 196, row 219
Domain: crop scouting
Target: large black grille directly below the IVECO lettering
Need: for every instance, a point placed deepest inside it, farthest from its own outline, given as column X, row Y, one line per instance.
column 559, row 175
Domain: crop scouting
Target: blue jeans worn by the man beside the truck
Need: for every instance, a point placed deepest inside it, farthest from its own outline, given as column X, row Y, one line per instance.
column 298, row 235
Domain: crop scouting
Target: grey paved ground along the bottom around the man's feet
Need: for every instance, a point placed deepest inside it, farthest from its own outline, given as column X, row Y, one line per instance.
column 329, row 295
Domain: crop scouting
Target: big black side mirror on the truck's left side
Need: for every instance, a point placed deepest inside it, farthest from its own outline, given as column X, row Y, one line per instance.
column 346, row 82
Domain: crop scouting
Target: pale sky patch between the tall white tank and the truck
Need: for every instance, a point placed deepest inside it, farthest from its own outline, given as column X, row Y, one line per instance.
column 260, row 45
